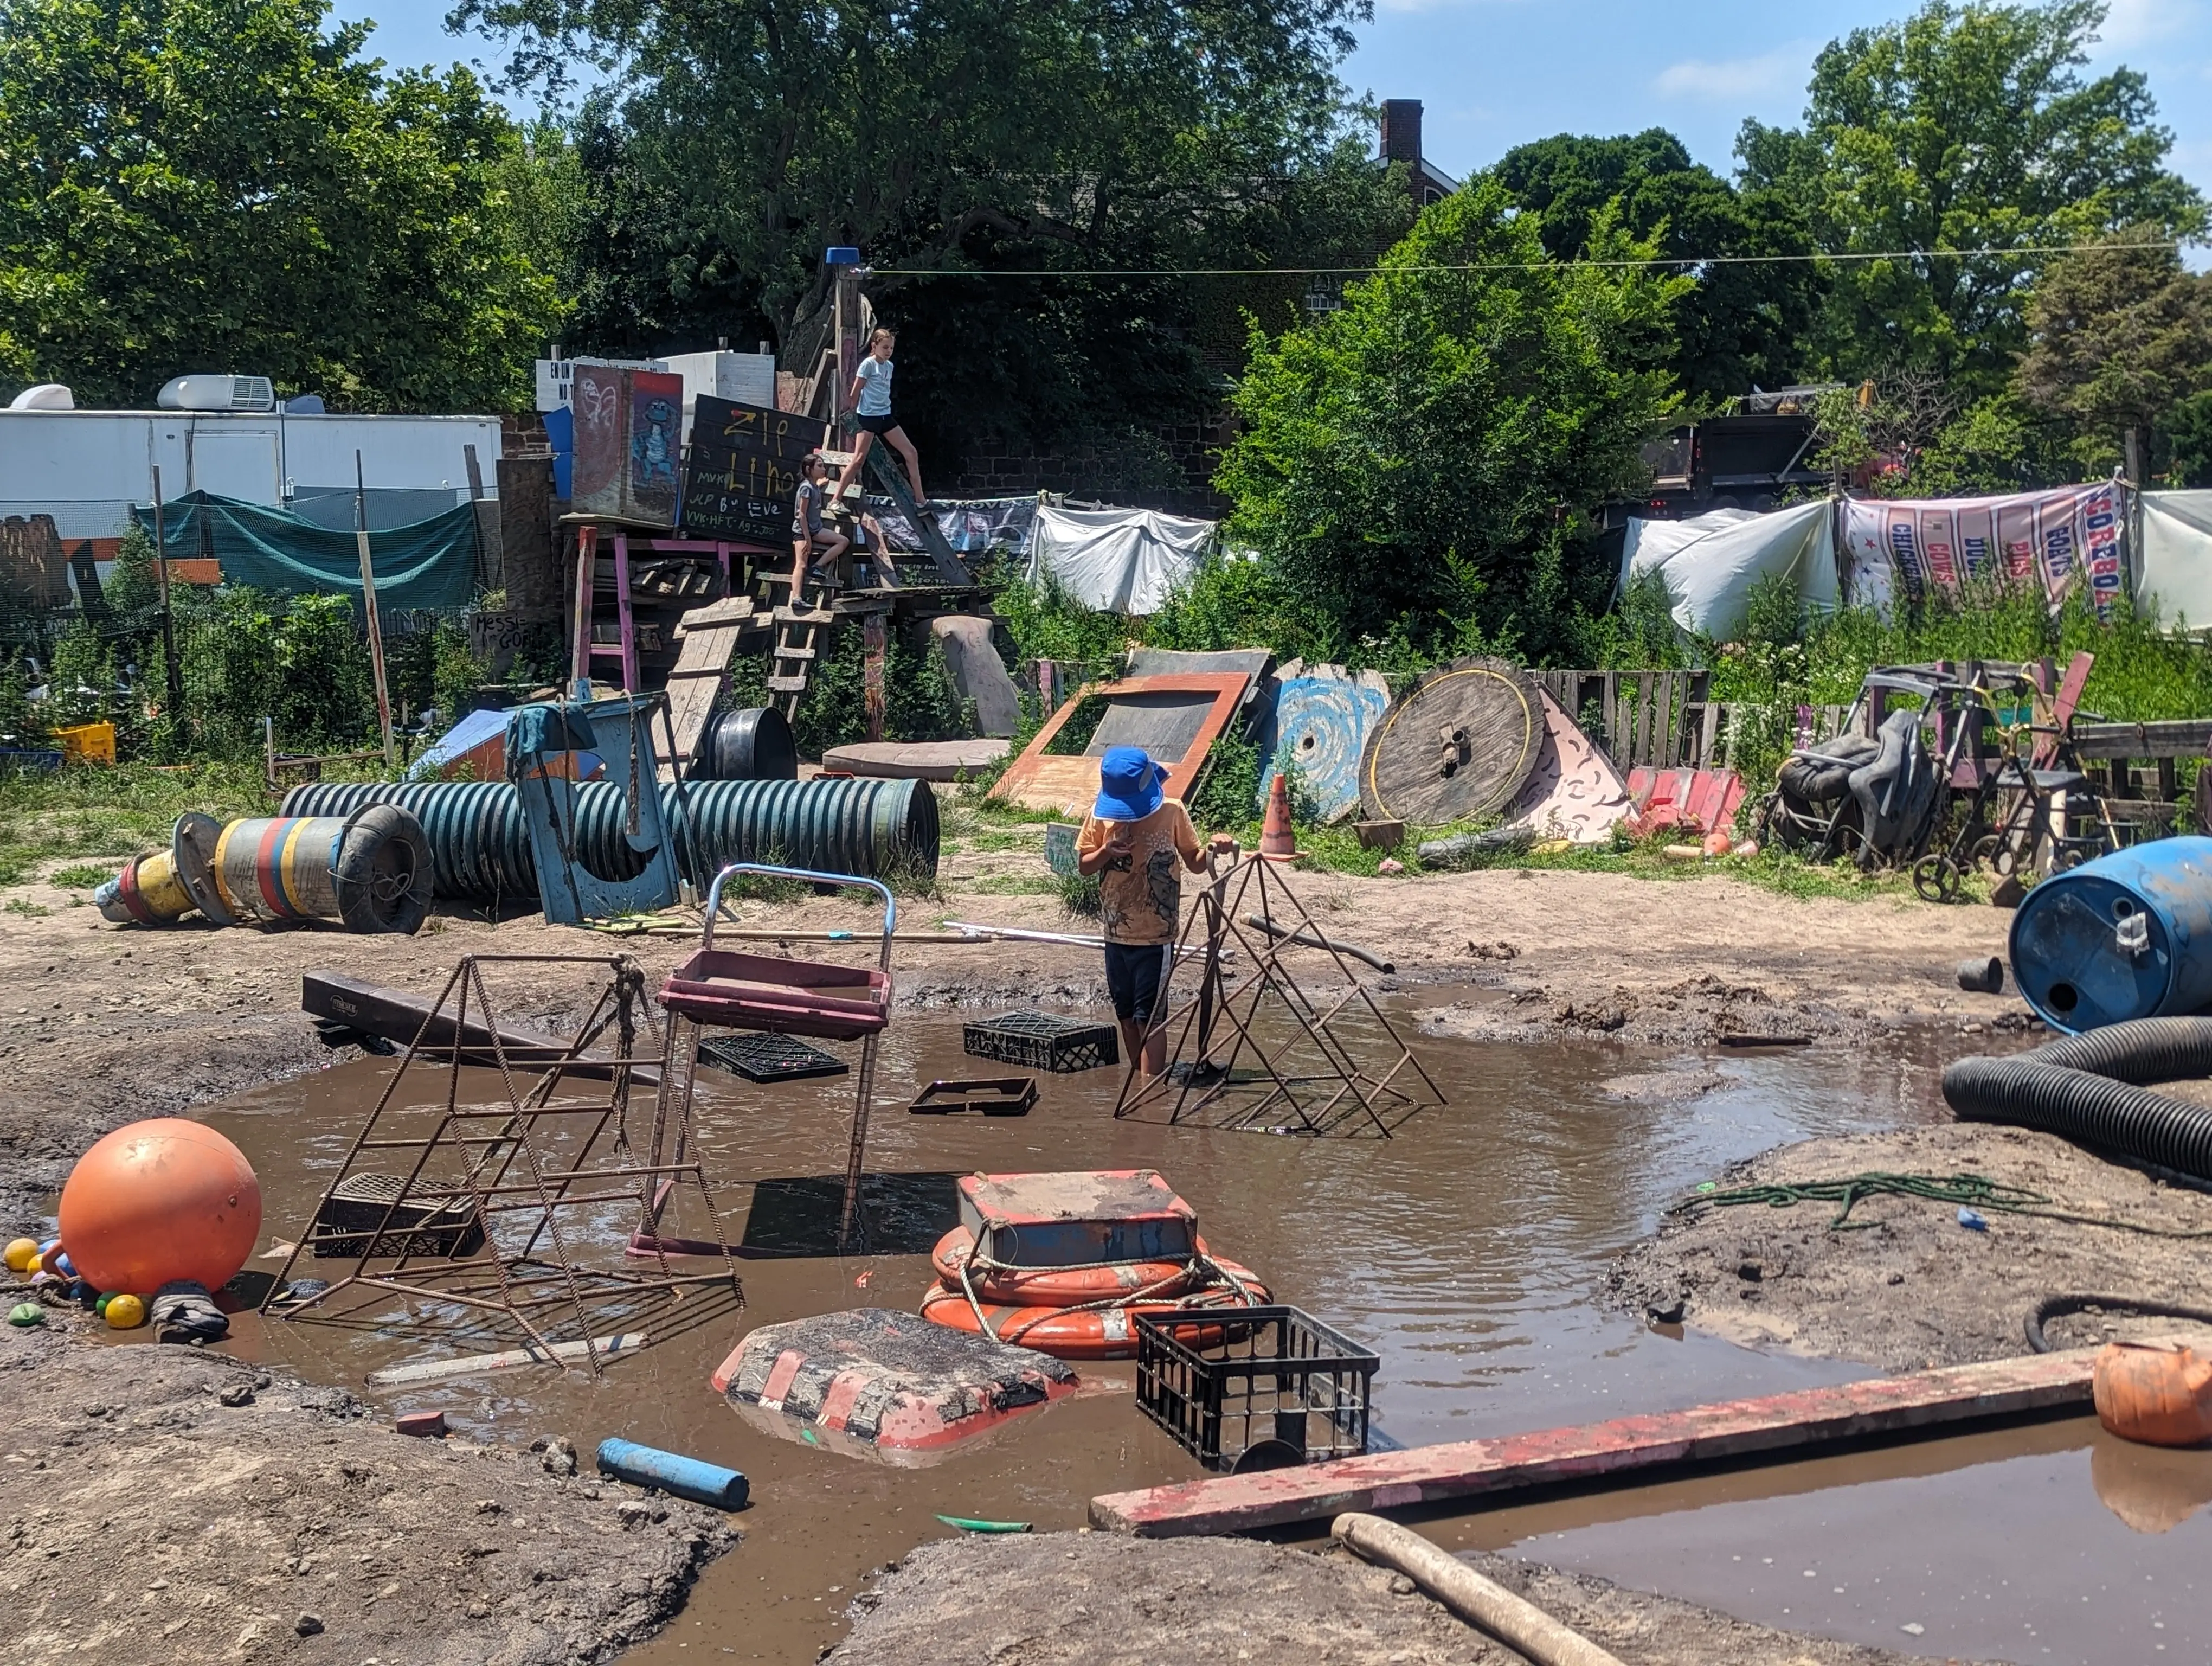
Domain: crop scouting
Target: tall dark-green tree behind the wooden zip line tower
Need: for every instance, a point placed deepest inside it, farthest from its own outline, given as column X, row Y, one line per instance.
column 963, row 138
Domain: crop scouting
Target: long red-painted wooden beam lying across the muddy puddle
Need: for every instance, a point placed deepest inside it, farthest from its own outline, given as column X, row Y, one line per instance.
column 1731, row 1430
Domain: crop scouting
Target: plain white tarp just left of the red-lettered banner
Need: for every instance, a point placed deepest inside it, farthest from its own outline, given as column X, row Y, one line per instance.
column 1711, row 563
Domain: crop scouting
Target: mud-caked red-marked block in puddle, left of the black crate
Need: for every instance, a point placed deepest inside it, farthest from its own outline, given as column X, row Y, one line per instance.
column 886, row 1379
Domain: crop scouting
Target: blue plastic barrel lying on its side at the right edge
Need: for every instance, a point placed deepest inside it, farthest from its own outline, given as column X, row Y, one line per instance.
column 2120, row 937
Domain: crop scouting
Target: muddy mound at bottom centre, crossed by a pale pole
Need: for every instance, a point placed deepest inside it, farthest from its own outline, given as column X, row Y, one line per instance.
column 1116, row 1603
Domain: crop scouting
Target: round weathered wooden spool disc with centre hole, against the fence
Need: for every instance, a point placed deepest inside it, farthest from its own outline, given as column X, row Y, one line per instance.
column 1457, row 747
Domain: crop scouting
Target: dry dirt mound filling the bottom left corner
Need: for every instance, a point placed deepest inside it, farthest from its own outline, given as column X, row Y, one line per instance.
column 167, row 1506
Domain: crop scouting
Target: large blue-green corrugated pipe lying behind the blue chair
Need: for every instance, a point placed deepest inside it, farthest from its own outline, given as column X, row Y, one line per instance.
column 481, row 848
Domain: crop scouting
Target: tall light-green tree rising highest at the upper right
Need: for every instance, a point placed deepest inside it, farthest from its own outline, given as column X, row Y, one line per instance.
column 1963, row 127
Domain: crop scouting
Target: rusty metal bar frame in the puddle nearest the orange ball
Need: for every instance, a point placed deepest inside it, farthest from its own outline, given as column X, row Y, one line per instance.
column 501, row 1149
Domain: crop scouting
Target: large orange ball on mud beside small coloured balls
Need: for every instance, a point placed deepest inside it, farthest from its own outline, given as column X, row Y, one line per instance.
column 158, row 1202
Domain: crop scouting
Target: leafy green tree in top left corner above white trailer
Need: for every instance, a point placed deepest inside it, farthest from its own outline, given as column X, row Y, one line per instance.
column 227, row 185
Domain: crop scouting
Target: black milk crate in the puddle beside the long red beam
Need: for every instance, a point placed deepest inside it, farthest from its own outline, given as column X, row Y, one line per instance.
column 1255, row 1388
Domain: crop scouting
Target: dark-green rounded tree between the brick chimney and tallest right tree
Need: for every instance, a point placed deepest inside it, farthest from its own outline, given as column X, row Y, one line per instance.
column 1735, row 324
